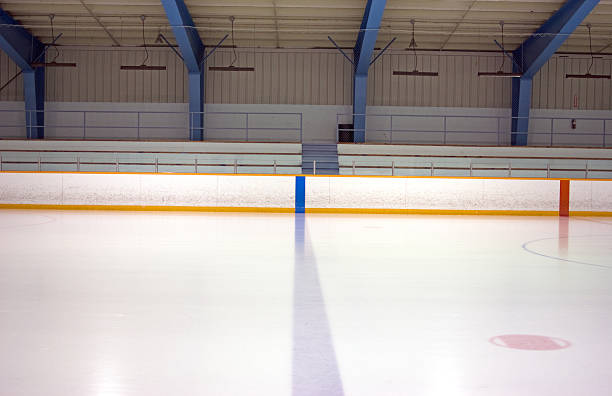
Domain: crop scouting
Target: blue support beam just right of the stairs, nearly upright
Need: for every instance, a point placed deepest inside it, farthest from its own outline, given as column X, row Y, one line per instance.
column 362, row 55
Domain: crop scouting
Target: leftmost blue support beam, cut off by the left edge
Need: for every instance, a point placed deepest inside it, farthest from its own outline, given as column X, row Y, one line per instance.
column 23, row 49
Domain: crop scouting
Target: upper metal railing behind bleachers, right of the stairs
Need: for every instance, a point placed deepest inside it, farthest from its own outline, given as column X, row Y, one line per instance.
column 479, row 130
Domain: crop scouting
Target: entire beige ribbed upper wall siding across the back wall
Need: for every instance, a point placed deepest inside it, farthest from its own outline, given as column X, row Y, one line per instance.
column 316, row 77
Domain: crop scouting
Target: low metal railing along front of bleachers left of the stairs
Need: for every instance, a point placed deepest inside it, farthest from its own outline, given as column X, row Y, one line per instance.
column 154, row 165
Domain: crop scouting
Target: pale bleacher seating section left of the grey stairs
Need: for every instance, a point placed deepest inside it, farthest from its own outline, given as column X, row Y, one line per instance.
column 104, row 156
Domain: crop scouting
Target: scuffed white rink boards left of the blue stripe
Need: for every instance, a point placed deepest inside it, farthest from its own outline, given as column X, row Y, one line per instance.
column 150, row 190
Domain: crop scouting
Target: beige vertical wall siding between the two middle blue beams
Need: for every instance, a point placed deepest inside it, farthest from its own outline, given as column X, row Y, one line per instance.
column 321, row 77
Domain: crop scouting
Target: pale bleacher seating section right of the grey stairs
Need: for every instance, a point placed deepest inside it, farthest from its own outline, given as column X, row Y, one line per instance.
column 411, row 160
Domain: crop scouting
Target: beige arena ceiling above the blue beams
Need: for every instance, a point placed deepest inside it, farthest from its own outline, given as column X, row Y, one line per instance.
column 439, row 24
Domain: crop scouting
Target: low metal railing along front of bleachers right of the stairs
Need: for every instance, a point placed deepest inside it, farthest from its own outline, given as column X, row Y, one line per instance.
column 478, row 169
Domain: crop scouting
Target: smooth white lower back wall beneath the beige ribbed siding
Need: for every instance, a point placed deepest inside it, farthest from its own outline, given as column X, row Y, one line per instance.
column 484, row 126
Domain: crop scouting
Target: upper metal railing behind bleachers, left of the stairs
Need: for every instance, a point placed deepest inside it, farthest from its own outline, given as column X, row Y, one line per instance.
column 150, row 125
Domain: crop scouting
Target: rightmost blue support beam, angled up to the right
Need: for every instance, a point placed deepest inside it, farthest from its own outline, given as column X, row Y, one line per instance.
column 534, row 53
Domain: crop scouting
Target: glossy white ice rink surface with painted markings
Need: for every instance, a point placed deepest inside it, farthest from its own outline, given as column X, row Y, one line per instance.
column 119, row 304
